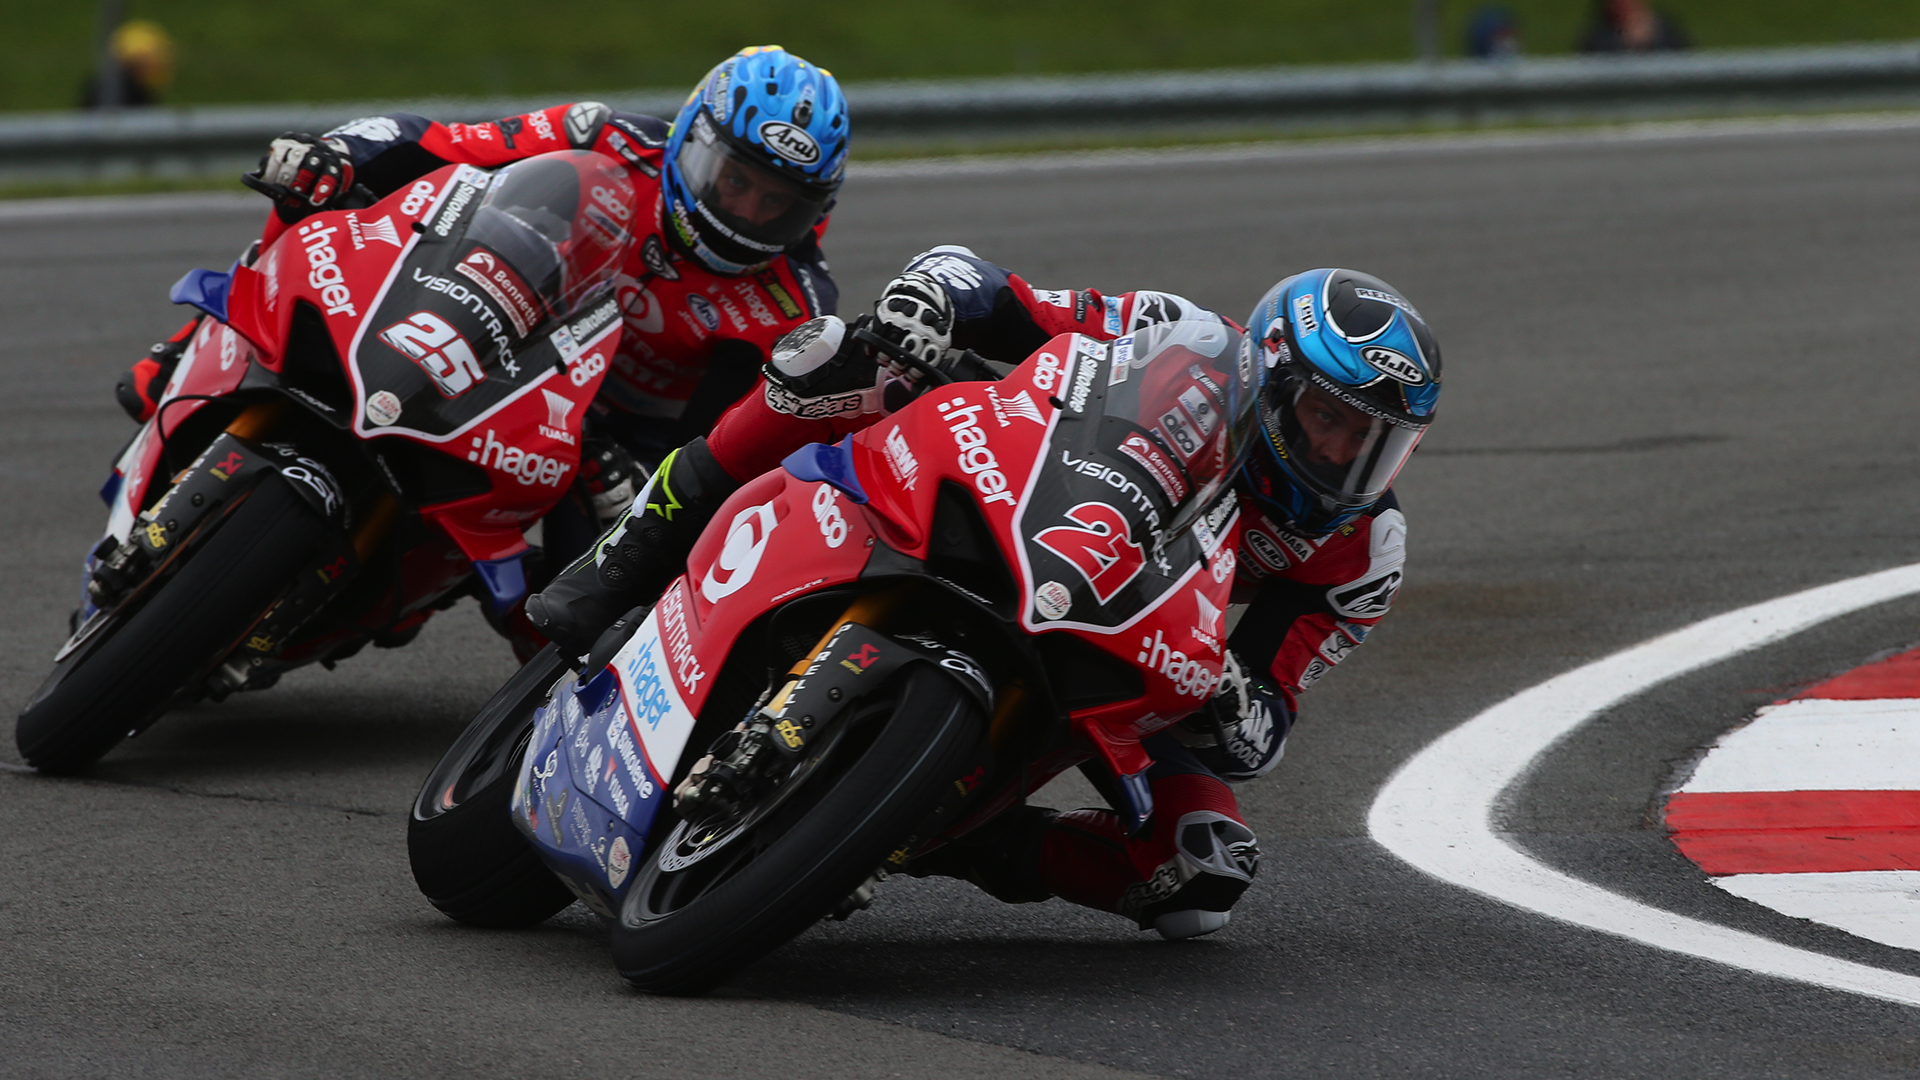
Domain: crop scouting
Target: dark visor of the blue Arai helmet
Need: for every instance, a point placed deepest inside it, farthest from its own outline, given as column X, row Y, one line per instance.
column 746, row 201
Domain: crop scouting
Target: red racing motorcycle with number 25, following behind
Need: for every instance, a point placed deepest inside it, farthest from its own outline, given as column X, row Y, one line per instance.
column 373, row 408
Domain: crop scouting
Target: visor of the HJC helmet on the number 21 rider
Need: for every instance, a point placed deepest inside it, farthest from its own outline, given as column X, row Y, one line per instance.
column 1345, row 454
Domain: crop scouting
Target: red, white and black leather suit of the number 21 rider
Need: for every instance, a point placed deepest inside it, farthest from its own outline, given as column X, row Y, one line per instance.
column 1310, row 602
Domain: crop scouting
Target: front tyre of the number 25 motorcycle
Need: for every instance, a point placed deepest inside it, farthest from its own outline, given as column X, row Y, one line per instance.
column 132, row 670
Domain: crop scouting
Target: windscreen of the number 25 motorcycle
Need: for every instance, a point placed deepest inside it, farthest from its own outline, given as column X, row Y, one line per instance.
column 562, row 222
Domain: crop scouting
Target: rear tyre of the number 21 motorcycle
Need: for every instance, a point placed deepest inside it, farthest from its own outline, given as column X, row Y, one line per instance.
column 468, row 856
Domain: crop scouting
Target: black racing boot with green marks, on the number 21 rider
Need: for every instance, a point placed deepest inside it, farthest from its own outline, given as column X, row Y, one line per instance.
column 638, row 556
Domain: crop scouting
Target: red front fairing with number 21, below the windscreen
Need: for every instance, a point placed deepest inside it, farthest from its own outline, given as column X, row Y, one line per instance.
column 1074, row 522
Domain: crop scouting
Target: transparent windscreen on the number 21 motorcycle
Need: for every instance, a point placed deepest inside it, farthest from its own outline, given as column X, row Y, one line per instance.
column 1182, row 408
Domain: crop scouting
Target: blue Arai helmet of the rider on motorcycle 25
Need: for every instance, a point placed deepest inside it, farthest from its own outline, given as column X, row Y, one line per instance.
column 756, row 159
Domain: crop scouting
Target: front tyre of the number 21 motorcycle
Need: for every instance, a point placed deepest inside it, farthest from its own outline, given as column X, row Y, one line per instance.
column 686, row 931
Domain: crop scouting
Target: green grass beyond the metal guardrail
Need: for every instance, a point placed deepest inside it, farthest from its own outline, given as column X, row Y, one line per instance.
column 258, row 51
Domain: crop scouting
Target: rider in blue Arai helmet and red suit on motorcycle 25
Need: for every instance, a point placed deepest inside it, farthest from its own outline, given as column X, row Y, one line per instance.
column 740, row 184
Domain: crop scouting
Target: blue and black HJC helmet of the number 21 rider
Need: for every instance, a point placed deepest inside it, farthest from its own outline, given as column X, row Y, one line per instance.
column 1353, row 383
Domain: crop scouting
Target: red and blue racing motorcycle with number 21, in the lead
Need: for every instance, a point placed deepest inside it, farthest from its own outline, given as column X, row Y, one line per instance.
column 875, row 650
